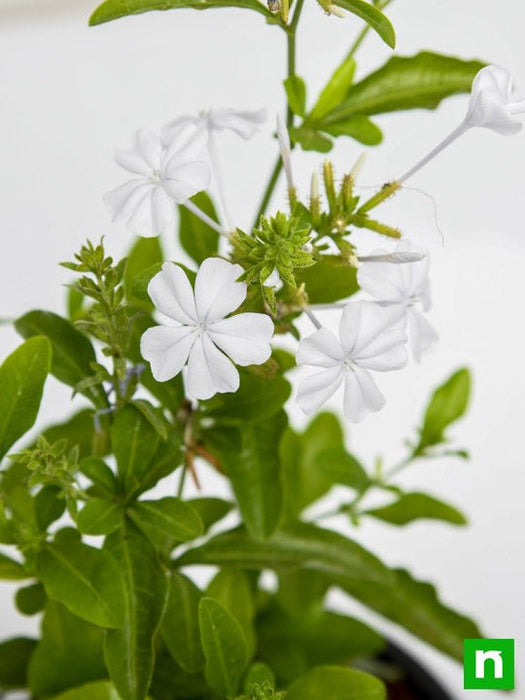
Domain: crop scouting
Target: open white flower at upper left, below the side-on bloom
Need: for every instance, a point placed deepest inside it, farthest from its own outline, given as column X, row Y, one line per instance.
column 165, row 177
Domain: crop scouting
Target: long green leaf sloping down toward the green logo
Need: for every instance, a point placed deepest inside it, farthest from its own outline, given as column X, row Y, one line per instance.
column 414, row 605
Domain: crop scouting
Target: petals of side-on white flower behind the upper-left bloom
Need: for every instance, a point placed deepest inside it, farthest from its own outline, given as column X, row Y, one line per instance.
column 243, row 123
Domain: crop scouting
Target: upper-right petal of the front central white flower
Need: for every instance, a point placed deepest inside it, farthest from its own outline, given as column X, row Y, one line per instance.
column 217, row 293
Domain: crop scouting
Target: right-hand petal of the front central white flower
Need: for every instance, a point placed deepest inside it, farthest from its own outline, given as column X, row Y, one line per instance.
column 245, row 337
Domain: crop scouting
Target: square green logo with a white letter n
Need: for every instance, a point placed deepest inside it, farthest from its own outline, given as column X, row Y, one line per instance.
column 488, row 664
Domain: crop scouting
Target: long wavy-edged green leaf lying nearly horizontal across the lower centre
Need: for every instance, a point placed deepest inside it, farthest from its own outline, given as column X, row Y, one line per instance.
column 295, row 545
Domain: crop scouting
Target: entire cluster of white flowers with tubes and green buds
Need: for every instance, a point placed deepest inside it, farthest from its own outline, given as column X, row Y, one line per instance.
column 205, row 335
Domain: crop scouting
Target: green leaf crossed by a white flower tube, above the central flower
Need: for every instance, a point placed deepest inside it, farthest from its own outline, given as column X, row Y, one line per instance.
column 198, row 239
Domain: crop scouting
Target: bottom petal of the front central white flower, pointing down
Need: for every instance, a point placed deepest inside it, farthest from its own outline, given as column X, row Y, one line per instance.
column 209, row 371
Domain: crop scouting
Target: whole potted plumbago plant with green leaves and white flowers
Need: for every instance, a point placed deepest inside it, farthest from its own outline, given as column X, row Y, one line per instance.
column 179, row 367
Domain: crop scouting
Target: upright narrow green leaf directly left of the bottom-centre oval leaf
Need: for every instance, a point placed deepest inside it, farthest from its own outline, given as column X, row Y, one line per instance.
column 180, row 624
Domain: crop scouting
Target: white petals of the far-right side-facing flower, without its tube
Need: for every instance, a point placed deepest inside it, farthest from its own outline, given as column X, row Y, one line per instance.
column 491, row 102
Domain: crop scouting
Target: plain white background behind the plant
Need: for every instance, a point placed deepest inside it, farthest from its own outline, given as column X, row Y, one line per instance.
column 70, row 94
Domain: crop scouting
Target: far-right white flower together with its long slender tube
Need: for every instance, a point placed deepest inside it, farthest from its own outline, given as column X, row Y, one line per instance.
column 491, row 106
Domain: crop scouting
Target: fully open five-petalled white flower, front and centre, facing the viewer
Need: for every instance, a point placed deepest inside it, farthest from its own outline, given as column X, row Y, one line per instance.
column 200, row 336
